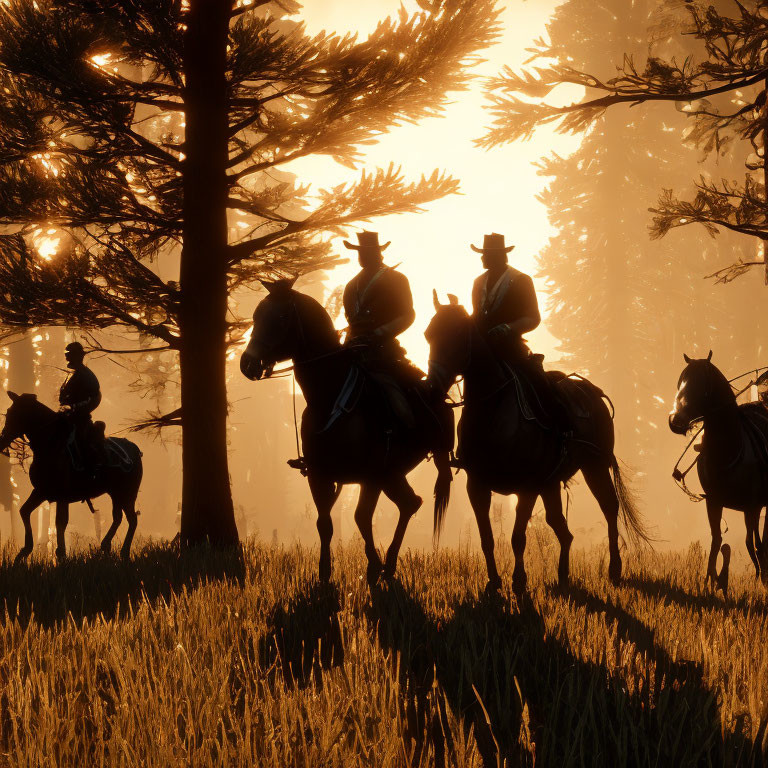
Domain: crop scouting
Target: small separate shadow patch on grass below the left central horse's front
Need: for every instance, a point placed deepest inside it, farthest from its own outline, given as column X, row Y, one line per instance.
column 304, row 636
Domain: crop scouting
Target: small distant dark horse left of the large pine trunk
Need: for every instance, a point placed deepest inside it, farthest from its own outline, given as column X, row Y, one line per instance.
column 55, row 479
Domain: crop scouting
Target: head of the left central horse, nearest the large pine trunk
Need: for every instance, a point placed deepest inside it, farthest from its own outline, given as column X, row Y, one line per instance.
column 287, row 325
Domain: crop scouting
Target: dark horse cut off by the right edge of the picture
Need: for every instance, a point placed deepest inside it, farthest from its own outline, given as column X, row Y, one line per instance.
column 733, row 455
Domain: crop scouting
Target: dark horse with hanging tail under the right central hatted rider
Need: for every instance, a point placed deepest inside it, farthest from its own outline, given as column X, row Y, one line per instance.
column 505, row 448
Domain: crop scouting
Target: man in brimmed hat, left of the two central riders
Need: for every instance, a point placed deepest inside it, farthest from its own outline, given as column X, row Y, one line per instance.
column 378, row 307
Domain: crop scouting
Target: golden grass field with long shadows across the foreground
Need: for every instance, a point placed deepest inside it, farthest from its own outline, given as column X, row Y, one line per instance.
column 208, row 659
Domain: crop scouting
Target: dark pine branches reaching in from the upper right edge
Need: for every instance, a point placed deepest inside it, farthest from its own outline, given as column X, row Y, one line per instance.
column 724, row 93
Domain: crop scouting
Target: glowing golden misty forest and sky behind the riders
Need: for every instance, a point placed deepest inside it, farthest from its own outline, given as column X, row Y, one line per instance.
column 618, row 306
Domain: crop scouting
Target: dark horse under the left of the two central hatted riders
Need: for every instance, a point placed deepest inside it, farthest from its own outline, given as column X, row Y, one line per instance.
column 346, row 434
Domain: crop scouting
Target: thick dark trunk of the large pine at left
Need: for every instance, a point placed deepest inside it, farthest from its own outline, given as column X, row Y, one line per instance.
column 207, row 511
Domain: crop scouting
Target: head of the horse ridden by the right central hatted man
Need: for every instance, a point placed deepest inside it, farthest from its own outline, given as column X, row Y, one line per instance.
column 449, row 338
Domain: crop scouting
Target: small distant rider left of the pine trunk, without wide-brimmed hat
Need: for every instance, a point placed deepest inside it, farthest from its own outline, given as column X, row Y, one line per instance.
column 79, row 396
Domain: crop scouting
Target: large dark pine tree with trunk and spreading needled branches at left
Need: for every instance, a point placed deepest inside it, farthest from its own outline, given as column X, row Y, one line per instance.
column 144, row 128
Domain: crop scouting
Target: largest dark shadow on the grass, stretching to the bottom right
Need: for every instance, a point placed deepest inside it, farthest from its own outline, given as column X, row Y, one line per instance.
column 528, row 698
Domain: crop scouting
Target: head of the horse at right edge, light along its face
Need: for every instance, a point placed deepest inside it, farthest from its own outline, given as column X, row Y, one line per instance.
column 701, row 389
